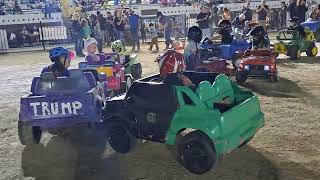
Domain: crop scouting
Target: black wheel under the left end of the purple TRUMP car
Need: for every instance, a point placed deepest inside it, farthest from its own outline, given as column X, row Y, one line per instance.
column 28, row 134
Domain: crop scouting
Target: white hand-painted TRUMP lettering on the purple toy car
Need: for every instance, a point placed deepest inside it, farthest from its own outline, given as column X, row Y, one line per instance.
column 55, row 108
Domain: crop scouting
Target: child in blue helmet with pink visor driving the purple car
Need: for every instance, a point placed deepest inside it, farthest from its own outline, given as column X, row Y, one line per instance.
column 61, row 58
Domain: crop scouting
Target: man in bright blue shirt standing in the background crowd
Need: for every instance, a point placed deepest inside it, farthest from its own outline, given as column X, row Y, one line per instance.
column 134, row 22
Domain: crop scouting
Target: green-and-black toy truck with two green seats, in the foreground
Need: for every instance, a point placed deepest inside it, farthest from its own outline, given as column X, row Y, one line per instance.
column 207, row 121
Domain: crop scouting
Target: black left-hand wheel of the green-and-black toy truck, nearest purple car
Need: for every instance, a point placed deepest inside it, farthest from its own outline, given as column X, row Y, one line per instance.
column 119, row 137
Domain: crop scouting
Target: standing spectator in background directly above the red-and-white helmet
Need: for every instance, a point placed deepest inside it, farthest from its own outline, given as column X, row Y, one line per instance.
column 166, row 23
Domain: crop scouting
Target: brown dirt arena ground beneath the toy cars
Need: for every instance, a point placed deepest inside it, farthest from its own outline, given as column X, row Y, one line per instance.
column 287, row 148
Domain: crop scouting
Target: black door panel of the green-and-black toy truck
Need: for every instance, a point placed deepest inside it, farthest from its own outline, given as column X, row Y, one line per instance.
column 153, row 106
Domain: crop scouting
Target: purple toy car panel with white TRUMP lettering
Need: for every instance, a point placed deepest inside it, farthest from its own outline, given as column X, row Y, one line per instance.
column 60, row 110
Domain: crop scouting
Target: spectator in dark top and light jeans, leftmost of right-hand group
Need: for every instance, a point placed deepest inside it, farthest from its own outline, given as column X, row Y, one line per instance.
column 203, row 20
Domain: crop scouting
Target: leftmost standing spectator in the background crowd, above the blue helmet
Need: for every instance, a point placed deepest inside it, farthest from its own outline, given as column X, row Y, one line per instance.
column 77, row 35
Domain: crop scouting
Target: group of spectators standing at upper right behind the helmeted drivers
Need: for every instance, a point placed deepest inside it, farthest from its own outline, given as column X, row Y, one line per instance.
column 210, row 15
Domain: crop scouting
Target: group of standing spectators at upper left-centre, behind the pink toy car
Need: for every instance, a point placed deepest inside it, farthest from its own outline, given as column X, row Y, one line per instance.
column 124, row 25
